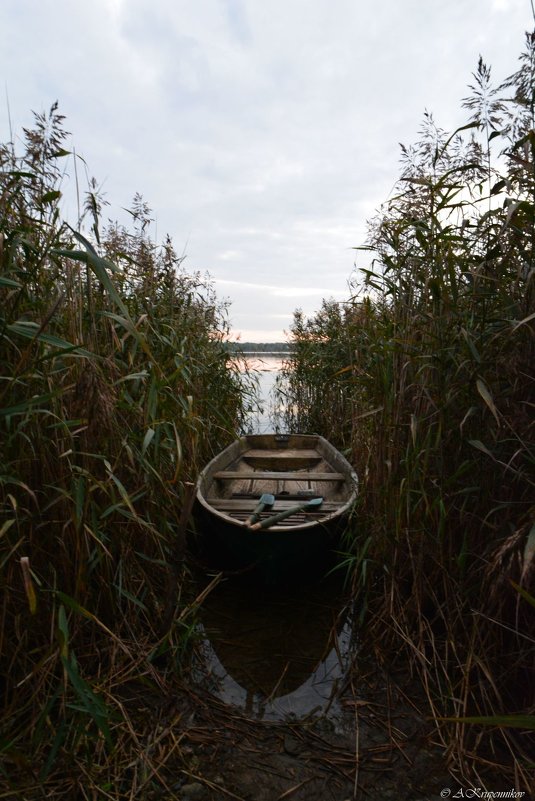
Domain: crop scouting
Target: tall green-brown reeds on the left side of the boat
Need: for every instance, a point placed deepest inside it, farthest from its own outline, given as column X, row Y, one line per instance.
column 115, row 385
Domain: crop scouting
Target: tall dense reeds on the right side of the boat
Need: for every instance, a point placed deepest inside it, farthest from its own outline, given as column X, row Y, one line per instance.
column 425, row 376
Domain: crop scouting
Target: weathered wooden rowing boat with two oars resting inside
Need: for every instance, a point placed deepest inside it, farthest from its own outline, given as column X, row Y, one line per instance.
column 277, row 503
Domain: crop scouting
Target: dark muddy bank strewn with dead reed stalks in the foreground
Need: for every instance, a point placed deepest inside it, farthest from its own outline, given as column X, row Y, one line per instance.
column 382, row 747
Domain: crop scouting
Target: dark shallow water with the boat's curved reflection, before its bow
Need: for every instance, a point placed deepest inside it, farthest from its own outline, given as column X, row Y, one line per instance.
column 274, row 654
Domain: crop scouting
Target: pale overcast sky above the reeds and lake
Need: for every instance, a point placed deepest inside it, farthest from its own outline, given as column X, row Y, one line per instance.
column 263, row 134
